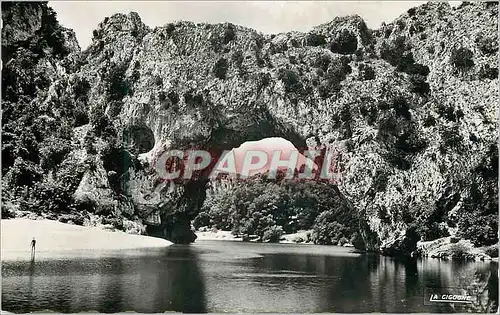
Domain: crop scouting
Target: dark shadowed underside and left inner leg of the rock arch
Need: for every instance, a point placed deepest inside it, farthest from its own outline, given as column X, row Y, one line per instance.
column 175, row 223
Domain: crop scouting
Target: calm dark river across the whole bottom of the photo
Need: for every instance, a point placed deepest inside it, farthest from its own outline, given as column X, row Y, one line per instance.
column 224, row 276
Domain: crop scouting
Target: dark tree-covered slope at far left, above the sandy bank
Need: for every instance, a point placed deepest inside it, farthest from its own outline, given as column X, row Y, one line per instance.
column 36, row 136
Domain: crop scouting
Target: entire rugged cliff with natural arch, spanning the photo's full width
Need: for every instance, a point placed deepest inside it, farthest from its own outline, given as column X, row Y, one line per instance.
column 412, row 104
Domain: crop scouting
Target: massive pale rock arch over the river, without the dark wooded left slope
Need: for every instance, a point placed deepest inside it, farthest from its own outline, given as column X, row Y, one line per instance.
column 303, row 91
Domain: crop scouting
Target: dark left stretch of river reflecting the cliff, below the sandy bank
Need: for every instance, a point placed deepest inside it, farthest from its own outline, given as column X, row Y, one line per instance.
column 170, row 280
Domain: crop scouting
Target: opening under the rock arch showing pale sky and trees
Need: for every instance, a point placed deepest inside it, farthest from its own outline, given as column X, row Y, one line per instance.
column 264, row 208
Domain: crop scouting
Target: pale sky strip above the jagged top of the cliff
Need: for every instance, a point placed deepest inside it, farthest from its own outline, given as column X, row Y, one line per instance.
column 265, row 16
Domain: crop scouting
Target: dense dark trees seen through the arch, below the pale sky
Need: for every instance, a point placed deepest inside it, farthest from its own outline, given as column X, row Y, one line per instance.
column 267, row 208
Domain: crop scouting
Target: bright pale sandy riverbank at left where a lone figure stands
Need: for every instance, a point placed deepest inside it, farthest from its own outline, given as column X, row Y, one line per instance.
column 54, row 238
